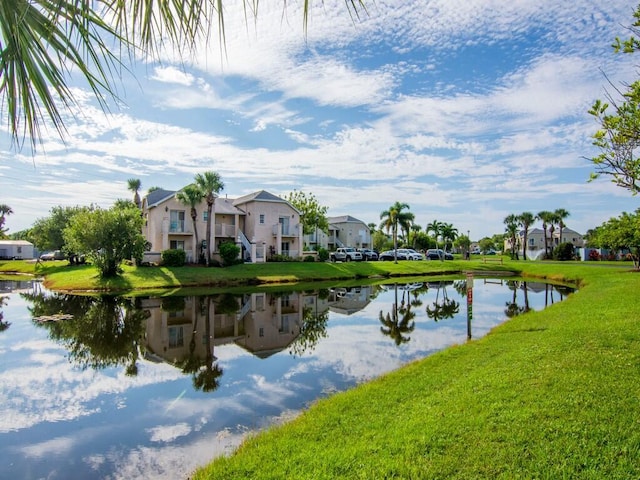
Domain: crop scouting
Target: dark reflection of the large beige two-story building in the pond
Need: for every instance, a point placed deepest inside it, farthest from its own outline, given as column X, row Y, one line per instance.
column 262, row 323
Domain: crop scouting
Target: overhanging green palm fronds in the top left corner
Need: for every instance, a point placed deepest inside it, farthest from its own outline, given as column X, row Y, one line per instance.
column 44, row 43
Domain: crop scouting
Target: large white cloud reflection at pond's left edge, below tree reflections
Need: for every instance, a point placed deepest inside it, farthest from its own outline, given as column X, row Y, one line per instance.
column 28, row 397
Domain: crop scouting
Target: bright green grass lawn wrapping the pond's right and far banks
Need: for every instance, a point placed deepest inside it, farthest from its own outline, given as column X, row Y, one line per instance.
column 550, row 394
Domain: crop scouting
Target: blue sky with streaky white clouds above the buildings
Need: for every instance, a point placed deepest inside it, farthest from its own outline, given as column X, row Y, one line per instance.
column 467, row 111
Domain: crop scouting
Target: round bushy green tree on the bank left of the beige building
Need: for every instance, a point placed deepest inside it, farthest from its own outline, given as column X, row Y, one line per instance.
column 106, row 237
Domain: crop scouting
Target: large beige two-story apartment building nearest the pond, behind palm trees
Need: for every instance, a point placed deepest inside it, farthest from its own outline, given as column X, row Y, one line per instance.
column 261, row 223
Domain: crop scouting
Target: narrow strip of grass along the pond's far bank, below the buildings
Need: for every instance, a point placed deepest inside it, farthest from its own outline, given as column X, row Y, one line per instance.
column 60, row 276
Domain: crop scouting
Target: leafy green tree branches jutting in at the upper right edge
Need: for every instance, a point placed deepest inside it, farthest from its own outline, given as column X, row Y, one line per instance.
column 619, row 134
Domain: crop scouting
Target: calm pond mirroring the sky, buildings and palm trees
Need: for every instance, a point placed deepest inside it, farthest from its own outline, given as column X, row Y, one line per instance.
column 121, row 388
